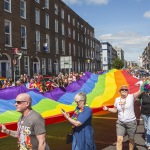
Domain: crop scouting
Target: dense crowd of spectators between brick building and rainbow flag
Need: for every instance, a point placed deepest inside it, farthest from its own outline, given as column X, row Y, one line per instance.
column 42, row 83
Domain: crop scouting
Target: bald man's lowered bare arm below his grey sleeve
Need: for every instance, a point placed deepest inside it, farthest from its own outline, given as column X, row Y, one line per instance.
column 42, row 142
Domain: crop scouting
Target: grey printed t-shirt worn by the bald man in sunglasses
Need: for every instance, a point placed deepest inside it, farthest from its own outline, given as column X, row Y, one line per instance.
column 28, row 127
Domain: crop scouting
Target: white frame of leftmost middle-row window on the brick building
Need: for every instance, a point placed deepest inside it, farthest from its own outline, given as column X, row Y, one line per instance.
column 8, row 34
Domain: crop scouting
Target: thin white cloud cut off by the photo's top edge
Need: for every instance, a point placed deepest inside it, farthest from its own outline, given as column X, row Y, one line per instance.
column 100, row 2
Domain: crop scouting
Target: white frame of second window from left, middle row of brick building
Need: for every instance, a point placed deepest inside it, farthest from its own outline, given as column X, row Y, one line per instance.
column 24, row 37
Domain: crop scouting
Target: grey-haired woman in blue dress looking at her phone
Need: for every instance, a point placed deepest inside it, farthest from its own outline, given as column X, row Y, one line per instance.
column 81, row 121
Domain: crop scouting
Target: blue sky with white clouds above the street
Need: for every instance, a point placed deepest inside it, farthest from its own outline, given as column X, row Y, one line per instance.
column 123, row 23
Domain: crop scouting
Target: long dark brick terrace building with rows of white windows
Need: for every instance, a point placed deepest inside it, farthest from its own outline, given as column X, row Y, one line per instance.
column 43, row 36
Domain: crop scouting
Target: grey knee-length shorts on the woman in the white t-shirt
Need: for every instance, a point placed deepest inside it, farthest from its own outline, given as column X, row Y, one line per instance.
column 126, row 127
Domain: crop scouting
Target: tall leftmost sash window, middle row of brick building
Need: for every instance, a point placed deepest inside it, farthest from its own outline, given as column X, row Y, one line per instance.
column 8, row 34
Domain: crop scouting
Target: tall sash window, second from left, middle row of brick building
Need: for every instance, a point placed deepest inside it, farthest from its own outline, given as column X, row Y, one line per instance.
column 23, row 37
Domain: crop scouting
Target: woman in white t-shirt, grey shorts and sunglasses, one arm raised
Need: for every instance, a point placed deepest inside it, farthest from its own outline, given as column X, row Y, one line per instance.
column 126, row 122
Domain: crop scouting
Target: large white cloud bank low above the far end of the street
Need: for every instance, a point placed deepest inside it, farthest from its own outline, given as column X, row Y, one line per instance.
column 133, row 44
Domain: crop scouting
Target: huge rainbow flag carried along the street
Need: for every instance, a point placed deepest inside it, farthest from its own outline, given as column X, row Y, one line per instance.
column 100, row 89
